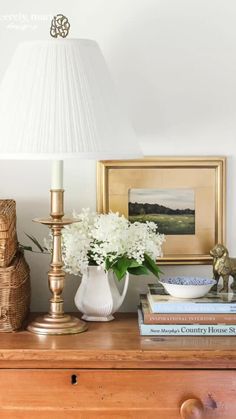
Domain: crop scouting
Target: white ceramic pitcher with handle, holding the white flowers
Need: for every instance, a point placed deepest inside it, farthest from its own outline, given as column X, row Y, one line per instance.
column 98, row 296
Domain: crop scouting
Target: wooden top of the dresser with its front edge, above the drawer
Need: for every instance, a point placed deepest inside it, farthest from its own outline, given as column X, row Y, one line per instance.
column 116, row 344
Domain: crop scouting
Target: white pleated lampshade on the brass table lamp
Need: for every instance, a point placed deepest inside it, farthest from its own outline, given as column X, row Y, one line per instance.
column 57, row 100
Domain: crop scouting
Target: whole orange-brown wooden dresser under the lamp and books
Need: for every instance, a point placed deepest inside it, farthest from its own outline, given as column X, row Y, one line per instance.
column 111, row 372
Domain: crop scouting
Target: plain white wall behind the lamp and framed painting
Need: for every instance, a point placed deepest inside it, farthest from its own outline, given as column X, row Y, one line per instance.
column 174, row 62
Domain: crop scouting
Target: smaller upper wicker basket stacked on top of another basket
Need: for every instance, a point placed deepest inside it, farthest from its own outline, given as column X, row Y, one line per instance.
column 8, row 236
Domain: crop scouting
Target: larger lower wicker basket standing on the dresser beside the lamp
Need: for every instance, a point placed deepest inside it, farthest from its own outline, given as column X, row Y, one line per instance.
column 14, row 294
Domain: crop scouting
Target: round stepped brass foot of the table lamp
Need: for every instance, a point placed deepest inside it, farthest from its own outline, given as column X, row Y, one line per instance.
column 61, row 325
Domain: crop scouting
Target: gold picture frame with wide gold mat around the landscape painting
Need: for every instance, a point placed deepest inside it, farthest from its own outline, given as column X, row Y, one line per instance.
column 205, row 176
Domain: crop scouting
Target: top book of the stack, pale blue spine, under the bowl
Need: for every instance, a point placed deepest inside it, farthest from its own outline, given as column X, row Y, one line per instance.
column 161, row 302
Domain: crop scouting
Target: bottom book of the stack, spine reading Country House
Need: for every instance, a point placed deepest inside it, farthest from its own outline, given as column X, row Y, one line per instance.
column 184, row 329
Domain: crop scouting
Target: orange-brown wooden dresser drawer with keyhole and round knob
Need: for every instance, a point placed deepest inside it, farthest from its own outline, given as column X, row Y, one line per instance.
column 44, row 394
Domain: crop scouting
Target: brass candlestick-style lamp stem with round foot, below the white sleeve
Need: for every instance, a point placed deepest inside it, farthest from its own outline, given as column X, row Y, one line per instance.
column 56, row 322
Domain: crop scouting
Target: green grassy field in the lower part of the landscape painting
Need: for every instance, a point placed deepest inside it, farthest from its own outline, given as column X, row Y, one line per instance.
column 169, row 224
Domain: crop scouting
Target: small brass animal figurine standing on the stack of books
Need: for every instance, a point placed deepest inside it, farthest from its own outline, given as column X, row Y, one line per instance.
column 223, row 266
